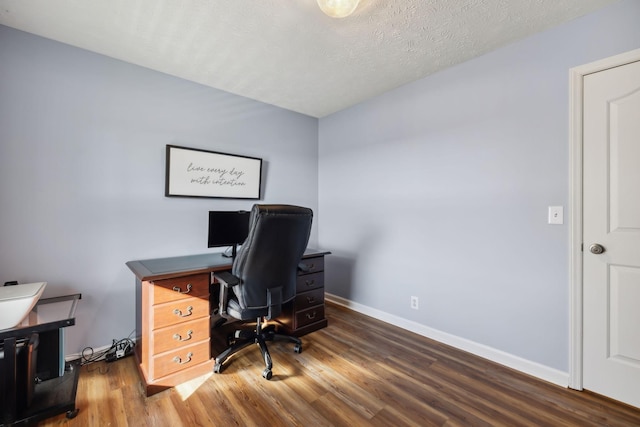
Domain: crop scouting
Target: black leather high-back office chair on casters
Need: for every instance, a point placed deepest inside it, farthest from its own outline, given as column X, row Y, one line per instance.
column 263, row 276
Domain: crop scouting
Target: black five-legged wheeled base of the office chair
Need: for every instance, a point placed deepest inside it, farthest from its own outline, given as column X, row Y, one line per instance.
column 260, row 336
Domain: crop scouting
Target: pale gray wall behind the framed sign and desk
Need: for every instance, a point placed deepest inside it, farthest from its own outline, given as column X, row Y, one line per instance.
column 82, row 146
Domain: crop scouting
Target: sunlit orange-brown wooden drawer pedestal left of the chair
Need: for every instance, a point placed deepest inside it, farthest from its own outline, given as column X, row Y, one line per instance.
column 173, row 323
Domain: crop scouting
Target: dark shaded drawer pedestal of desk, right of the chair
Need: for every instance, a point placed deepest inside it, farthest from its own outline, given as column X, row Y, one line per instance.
column 305, row 313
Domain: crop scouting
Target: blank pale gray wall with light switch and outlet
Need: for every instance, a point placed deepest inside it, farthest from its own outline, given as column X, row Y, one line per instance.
column 440, row 189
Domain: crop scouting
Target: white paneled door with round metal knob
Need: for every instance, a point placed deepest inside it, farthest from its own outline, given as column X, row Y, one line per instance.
column 611, row 219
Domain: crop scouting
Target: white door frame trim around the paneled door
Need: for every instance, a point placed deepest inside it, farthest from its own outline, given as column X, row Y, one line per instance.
column 576, row 86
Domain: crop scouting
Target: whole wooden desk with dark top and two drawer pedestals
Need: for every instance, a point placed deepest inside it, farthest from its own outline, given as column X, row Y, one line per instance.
column 173, row 314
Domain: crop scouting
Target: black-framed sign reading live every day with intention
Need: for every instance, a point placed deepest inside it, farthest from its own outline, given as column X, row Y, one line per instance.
column 192, row 172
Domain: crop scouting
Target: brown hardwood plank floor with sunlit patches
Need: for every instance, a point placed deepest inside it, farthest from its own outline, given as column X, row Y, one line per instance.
column 356, row 372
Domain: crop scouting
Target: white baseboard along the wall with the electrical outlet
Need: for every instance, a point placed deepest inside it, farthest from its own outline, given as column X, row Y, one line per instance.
column 523, row 365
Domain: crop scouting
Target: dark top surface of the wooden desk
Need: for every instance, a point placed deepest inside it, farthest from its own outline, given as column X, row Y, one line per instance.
column 165, row 268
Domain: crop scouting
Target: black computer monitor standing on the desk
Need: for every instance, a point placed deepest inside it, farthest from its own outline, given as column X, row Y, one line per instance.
column 228, row 228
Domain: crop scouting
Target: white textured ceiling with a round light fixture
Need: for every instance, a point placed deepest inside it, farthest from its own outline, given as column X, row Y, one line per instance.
column 287, row 52
